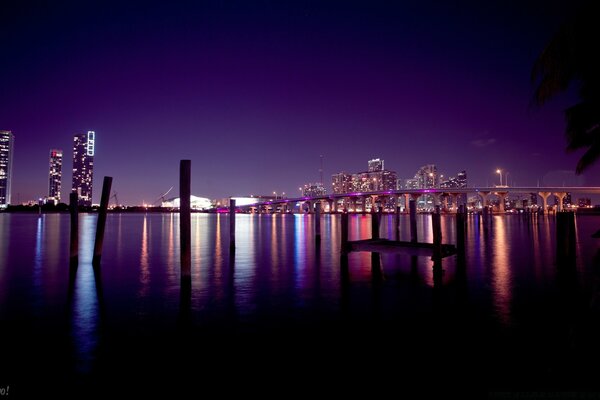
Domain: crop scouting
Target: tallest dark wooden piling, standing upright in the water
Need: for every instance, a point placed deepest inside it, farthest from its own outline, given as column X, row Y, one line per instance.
column 185, row 227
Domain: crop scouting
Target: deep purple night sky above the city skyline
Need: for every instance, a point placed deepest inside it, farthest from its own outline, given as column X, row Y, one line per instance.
column 254, row 92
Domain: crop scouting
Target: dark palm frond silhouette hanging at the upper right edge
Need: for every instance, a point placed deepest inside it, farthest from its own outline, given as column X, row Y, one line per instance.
column 571, row 58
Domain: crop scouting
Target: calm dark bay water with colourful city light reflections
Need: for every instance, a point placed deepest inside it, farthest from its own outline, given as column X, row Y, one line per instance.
column 512, row 317
